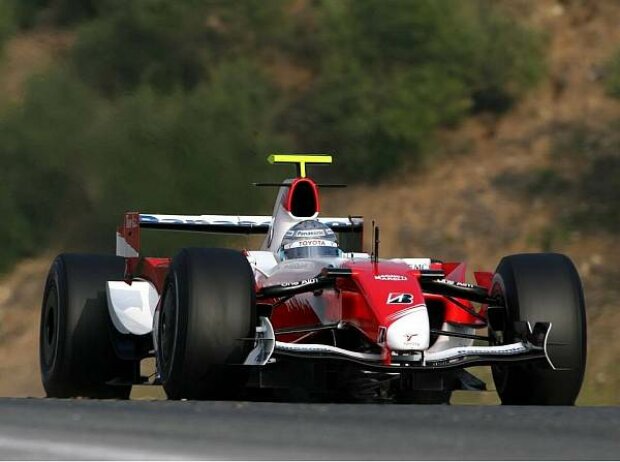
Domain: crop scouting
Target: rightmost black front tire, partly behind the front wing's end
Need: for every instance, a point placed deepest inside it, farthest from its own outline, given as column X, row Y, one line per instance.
column 542, row 288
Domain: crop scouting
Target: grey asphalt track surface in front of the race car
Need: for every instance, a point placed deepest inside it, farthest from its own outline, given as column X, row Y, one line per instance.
column 83, row 429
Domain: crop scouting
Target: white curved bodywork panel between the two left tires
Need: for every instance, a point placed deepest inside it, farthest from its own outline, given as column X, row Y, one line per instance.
column 132, row 306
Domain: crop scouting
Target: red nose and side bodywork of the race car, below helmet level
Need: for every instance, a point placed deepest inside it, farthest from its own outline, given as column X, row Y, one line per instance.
column 359, row 301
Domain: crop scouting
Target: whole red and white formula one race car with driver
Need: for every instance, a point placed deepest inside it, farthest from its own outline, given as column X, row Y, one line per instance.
column 308, row 315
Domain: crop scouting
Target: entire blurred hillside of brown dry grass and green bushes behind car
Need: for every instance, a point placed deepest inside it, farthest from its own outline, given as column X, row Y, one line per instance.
column 528, row 167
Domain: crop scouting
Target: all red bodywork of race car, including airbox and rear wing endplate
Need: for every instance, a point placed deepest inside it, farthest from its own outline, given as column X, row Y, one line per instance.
column 359, row 301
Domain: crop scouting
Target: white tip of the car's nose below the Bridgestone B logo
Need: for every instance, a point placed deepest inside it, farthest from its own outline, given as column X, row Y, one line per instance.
column 410, row 331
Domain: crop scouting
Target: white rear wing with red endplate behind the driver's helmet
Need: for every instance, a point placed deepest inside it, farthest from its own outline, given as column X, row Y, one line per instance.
column 128, row 234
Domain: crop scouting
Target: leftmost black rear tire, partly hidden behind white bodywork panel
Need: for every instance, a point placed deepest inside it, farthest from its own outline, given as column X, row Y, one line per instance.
column 76, row 354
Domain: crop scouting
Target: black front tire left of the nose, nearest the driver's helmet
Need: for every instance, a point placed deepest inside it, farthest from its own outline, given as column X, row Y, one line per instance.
column 206, row 324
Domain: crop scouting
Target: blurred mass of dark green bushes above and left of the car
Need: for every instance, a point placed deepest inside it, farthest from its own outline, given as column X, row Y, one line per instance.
column 170, row 106
